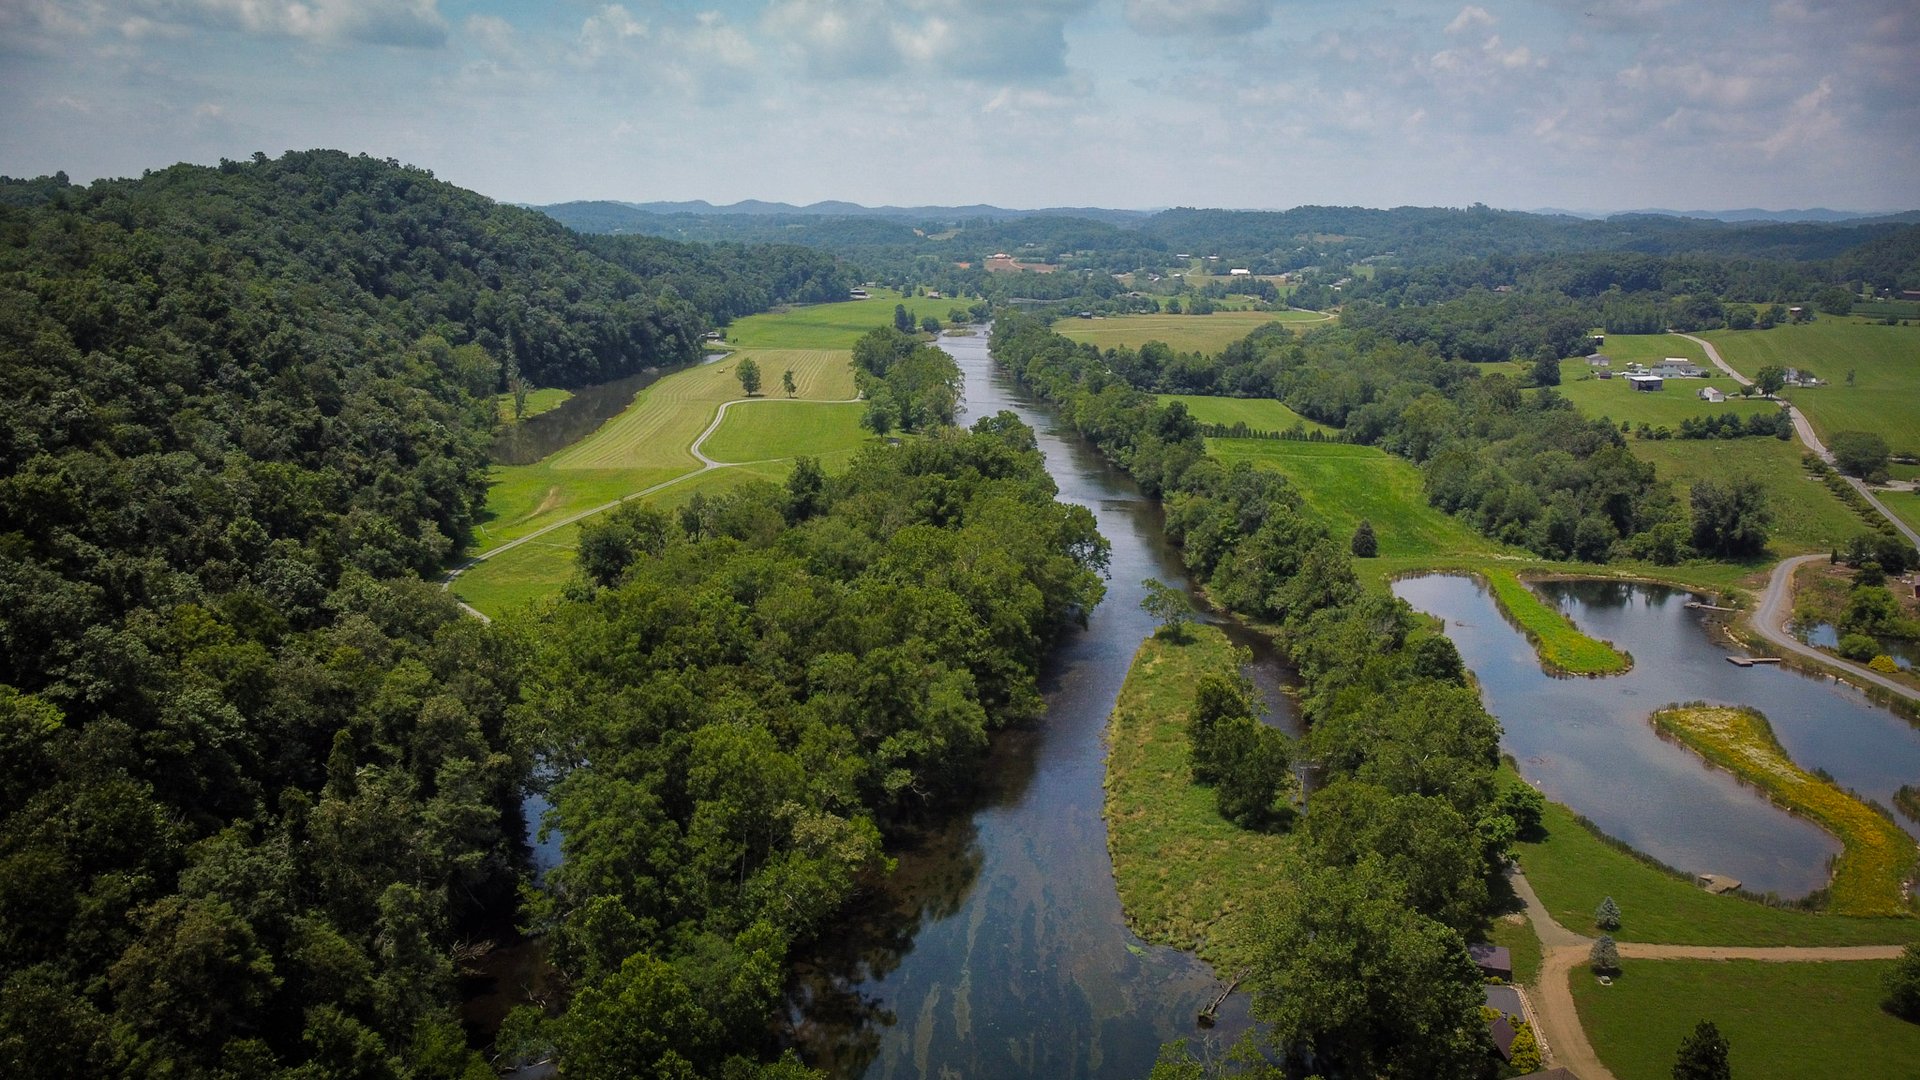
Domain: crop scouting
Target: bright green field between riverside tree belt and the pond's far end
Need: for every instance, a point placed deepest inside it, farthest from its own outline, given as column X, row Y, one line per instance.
column 1349, row 483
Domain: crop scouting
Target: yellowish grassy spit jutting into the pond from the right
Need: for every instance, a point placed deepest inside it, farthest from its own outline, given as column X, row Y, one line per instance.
column 1877, row 858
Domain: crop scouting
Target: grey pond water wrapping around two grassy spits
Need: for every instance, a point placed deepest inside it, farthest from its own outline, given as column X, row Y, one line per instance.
column 1587, row 743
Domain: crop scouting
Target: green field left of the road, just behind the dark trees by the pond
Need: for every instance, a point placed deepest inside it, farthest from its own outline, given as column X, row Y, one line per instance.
column 1808, row 518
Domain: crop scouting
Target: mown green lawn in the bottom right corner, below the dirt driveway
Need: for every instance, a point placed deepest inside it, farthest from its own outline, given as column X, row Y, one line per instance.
column 1781, row 1019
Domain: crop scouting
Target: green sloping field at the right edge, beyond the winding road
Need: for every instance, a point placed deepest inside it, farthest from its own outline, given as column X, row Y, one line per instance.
column 1886, row 374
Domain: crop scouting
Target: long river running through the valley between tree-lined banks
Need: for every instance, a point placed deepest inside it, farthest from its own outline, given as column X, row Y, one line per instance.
column 1001, row 948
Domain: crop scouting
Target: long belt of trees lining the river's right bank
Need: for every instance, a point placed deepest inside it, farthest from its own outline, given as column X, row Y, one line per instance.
column 1406, row 839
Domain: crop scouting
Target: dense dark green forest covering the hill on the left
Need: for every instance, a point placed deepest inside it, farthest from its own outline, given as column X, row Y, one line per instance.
column 260, row 781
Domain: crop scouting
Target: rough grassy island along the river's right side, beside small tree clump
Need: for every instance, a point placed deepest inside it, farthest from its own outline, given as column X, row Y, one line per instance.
column 1184, row 873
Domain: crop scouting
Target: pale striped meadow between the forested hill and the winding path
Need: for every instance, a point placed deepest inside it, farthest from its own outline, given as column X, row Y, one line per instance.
column 646, row 445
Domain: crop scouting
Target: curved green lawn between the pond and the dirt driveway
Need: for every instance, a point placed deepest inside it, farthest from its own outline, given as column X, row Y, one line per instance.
column 1573, row 870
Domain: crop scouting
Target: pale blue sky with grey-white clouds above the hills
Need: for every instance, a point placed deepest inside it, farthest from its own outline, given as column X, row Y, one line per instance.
column 1589, row 105
